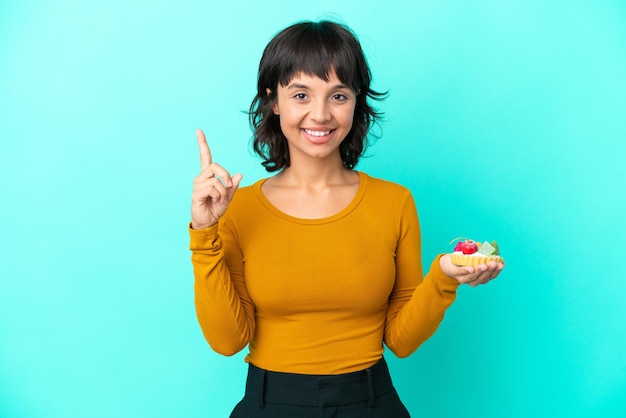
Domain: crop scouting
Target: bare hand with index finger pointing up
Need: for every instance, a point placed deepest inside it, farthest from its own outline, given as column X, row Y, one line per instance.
column 213, row 189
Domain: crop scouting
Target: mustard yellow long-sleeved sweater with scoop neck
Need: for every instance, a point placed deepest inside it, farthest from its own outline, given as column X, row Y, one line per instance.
column 318, row 296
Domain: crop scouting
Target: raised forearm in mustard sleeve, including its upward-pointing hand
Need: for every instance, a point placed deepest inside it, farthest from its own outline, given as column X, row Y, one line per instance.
column 223, row 307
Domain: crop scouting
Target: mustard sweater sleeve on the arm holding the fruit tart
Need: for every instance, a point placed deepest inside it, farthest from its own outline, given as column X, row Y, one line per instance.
column 417, row 303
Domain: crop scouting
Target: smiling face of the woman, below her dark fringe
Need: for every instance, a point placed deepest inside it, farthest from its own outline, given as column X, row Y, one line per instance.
column 315, row 115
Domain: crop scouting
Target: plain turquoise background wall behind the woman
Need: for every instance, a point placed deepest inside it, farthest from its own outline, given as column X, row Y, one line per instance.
column 505, row 118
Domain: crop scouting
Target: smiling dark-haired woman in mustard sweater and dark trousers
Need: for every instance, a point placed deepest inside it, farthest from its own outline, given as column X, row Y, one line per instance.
column 317, row 266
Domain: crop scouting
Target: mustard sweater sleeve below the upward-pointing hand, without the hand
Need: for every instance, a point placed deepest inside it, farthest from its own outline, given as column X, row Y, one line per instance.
column 223, row 306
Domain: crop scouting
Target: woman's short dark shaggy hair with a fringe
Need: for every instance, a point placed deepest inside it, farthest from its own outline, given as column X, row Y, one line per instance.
column 316, row 49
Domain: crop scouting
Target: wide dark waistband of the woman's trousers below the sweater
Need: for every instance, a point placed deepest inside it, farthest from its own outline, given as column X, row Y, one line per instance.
column 318, row 390
